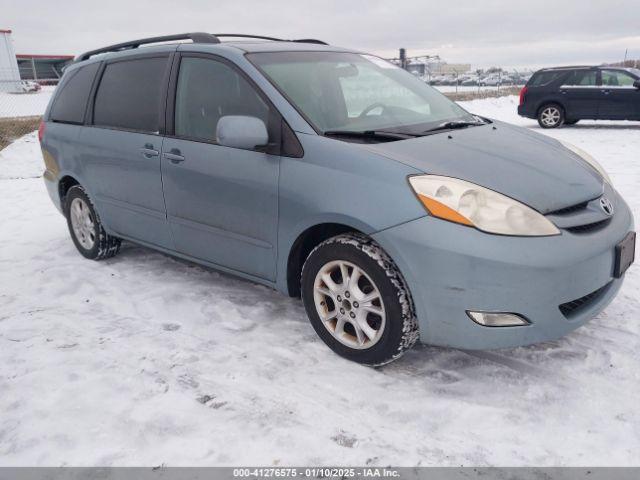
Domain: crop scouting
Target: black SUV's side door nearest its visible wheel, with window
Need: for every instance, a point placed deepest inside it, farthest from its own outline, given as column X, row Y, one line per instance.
column 581, row 94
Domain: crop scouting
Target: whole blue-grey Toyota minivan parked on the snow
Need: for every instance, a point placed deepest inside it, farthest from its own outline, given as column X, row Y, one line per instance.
column 338, row 177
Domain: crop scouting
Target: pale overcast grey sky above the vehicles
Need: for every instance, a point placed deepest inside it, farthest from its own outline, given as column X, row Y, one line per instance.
column 483, row 32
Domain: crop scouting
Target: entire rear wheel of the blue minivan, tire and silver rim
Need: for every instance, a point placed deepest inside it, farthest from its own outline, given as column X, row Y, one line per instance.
column 86, row 230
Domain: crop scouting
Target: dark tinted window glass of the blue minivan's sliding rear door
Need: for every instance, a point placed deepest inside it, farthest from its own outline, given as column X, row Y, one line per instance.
column 129, row 95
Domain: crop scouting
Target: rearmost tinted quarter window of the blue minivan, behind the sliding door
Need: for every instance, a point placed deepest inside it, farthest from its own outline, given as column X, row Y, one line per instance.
column 71, row 99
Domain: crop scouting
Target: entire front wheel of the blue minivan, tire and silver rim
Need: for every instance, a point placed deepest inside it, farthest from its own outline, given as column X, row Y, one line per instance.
column 357, row 300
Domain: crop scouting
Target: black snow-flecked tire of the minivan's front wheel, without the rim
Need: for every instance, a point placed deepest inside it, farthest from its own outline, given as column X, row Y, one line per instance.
column 400, row 331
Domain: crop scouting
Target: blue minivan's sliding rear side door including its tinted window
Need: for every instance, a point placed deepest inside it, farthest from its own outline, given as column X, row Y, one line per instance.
column 121, row 147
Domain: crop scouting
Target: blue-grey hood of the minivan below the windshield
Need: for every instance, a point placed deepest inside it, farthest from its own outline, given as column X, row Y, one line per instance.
column 532, row 168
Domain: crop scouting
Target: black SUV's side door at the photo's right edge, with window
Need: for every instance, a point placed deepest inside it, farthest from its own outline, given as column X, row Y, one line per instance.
column 619, row 98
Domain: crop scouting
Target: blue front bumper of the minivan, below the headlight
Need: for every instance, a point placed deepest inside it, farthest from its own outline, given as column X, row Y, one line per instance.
column 450, row 269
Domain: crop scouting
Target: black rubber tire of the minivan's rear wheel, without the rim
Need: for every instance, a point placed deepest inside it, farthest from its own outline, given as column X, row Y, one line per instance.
column 104, row 245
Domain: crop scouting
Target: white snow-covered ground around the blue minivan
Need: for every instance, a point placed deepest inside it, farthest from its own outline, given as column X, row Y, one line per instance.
column 145, row 360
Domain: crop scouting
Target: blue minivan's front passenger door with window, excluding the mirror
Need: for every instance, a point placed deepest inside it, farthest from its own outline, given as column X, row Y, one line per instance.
column 222, row 202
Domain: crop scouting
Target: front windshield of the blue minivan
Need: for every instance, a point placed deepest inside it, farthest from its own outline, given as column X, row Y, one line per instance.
column 338, row 91
